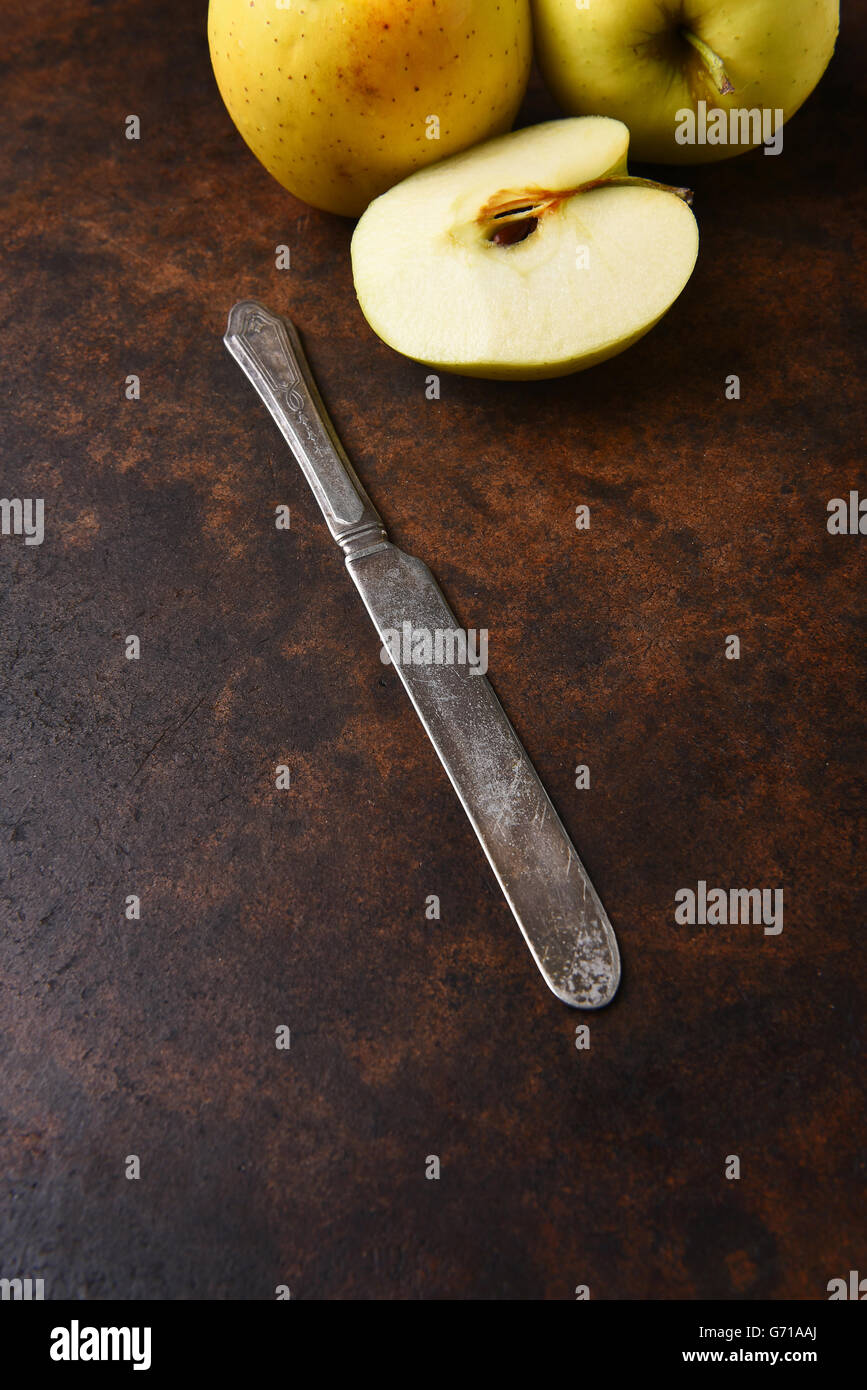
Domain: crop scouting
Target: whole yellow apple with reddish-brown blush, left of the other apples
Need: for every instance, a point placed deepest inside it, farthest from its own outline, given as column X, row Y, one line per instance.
column 341, row 99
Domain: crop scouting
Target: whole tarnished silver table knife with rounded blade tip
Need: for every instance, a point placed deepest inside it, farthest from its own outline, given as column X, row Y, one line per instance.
column 545, row 883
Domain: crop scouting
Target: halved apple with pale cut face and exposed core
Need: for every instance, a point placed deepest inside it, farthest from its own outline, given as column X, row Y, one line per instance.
column 534, row 255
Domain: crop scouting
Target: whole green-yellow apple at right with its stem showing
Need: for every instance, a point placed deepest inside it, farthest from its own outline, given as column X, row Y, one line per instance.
column 644, row 62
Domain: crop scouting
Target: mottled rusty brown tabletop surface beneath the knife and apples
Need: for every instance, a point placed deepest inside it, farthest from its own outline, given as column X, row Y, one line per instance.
column 265, row 908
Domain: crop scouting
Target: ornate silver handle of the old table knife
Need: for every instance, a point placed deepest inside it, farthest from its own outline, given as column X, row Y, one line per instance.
column 269, row 351
